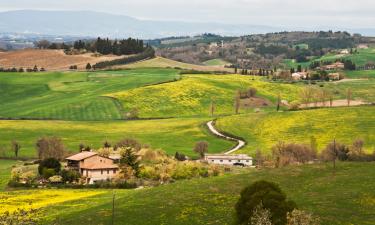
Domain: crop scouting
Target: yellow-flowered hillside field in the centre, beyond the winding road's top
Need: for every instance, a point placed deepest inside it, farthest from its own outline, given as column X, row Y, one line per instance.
column 192, row 95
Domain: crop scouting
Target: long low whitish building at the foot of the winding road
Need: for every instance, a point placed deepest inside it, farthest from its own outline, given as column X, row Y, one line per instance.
column 223, row 159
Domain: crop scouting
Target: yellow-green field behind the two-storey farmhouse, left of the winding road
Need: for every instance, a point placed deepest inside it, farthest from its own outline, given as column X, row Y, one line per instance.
column 171, row 135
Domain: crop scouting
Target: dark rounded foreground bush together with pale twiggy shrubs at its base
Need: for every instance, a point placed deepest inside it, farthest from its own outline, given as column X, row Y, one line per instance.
column 264, row 203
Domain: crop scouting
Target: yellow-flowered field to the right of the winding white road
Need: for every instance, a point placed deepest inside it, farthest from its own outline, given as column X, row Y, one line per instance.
column 263, row 130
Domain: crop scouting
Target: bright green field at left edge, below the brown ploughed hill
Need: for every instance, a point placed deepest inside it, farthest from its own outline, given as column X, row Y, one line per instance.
column 72, row 96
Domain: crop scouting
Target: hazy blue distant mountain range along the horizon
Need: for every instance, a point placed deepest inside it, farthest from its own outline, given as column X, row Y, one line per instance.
column 88, row 23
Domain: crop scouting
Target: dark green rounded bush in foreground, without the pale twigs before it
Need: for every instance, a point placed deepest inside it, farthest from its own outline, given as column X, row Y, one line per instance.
column 266, row 193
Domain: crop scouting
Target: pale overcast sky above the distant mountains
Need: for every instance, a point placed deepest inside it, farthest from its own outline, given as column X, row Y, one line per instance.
column 280, row 13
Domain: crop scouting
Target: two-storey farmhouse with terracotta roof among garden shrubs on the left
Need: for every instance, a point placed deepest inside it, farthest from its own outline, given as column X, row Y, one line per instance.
column 92, row 166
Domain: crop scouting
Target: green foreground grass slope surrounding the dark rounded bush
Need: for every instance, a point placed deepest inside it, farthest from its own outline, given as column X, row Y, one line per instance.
column 344, row 198
